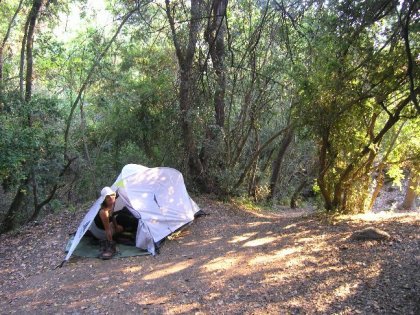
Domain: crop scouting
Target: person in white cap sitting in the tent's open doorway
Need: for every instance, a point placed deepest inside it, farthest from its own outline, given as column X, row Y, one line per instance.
column 104, row 225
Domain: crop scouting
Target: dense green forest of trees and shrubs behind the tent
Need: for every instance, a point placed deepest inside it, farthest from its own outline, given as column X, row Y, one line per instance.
column 278, row 101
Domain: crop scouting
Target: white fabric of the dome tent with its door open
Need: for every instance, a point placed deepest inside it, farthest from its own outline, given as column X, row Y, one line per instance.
column 157, row 197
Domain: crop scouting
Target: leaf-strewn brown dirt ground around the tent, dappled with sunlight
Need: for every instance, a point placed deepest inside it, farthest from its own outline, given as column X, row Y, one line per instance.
column 233, row 261
